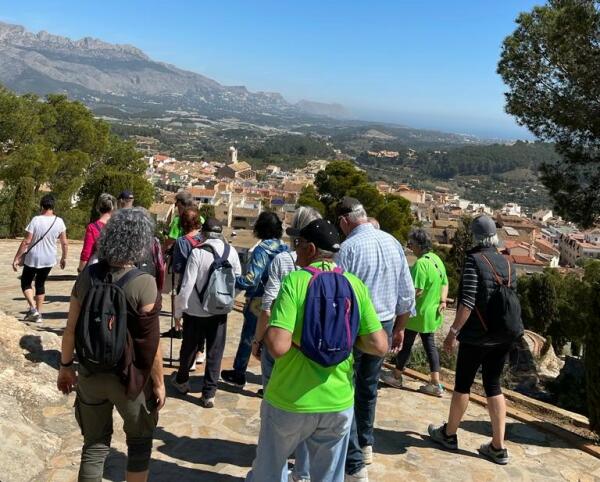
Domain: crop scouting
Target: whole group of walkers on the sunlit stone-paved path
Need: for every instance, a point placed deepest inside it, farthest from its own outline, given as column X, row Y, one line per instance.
column 320, row 315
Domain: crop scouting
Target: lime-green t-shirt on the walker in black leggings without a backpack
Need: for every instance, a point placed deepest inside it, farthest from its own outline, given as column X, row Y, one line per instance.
column 429, row 275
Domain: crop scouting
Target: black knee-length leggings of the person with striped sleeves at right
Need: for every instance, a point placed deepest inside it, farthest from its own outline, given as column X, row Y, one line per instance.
column 491, row 359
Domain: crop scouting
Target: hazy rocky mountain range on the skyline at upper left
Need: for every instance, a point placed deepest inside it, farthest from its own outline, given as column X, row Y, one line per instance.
column 123, row 78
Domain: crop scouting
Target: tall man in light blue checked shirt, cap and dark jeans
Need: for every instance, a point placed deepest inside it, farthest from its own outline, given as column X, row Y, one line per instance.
column 377, row 259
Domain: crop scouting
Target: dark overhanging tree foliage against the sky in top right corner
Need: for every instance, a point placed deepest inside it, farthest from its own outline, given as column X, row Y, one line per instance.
column 550, row 64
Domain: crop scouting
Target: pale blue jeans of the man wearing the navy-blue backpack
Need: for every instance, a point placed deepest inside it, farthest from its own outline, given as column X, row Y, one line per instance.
column 325, row 434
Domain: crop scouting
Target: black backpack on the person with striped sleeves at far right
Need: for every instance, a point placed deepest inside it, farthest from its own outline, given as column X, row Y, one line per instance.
column 503, row 310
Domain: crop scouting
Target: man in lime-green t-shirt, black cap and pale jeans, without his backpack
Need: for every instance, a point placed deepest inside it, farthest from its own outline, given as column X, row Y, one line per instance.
column 305, row 401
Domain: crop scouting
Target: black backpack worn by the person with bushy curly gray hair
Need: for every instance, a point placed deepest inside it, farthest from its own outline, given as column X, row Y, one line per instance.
column 101, row 332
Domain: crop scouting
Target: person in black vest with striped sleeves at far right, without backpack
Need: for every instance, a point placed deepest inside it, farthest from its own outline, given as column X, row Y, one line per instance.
column 479, row 347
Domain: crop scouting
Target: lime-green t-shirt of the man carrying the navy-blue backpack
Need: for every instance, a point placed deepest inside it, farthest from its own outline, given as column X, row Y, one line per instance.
column 298, row 384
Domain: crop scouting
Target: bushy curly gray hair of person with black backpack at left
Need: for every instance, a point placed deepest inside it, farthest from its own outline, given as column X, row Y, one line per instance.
column 127, row 237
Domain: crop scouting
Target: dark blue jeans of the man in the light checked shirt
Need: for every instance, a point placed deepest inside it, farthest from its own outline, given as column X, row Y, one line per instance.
column 366, row 379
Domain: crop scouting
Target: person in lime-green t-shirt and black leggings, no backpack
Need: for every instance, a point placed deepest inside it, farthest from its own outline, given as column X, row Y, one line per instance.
column 431, row 289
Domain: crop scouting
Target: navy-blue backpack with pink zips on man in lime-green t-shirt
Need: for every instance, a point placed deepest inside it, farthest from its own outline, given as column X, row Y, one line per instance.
column 331, row 318
